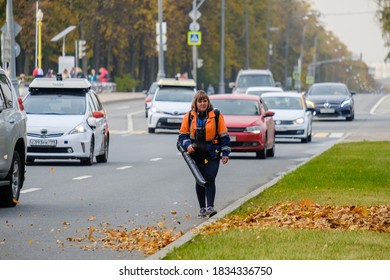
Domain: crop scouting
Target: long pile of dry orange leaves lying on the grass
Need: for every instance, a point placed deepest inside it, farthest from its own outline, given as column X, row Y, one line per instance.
column 308, row 215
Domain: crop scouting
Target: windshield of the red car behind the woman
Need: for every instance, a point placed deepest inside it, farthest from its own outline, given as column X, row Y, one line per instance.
column 237, row 107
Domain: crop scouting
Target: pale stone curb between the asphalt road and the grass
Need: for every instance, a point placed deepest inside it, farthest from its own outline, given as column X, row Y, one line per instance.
column 193, row 232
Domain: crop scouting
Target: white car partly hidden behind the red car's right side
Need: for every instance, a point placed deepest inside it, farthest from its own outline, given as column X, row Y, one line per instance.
column 292, row 118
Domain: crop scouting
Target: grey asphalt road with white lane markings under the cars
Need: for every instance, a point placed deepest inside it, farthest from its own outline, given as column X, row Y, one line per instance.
column 146, row 179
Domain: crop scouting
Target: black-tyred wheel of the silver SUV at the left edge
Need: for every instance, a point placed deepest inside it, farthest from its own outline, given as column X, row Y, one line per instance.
column 9, row 195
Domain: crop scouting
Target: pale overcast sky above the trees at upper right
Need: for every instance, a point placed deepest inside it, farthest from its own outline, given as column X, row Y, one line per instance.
column 354, row 22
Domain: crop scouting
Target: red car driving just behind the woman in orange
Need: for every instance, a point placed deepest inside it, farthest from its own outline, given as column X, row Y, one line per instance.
column 250, row 125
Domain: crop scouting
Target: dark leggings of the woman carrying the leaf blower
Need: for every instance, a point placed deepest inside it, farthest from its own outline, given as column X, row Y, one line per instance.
column 209, row 172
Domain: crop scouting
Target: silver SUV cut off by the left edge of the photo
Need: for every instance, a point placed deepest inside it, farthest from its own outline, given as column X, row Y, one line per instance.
column 12, row 143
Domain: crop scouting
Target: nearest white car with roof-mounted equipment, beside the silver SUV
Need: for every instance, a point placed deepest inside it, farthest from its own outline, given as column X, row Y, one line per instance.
column 65, row 121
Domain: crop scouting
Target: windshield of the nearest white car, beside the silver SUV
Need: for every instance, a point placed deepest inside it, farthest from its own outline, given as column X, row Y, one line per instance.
column 55, row 104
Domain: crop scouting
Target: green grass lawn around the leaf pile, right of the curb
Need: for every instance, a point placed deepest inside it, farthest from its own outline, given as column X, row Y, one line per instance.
column 355, row 173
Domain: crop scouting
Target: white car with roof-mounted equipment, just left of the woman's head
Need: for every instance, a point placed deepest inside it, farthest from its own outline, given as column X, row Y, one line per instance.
column 170, row 103
